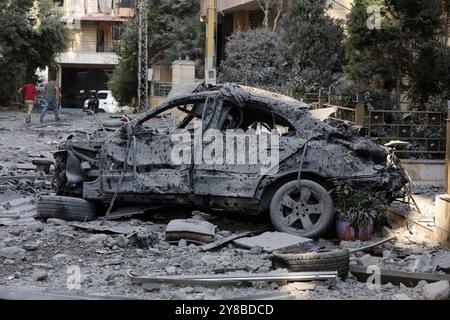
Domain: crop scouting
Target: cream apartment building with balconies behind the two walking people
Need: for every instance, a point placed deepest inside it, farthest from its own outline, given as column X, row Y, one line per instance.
column 95, row 27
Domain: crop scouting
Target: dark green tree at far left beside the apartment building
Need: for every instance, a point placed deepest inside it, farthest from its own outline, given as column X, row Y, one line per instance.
column 32, row 33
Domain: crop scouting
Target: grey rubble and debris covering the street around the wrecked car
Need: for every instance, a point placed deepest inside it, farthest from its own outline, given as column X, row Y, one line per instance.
column 56, row 244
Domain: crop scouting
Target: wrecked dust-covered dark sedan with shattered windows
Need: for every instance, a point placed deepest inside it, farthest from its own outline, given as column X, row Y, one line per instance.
column 135, row 164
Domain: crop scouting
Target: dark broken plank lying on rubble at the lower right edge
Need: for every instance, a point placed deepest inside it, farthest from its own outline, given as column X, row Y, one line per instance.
column 409, row 279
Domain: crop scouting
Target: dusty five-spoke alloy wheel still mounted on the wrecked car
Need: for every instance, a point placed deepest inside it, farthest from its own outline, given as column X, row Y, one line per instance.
column 303, row 208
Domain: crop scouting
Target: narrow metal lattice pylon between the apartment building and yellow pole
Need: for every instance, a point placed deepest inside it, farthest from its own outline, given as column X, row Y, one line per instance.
column 142, row 88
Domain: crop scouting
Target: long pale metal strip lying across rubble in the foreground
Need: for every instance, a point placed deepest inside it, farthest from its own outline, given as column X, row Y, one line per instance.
column 233, row 278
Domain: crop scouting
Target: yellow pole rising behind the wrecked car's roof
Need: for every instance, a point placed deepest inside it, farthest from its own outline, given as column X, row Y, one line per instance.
column 210, row 57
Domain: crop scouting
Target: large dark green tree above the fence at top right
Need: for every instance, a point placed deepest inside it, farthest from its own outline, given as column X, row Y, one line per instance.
column 405, row 51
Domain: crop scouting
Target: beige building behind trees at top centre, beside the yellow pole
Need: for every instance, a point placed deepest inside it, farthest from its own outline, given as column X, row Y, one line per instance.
column 235, row 15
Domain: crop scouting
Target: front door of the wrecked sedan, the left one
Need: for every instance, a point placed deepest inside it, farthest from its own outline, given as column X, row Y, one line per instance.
column 152, row 167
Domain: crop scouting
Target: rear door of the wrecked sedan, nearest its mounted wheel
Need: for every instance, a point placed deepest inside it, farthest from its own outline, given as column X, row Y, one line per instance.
column 248, row 155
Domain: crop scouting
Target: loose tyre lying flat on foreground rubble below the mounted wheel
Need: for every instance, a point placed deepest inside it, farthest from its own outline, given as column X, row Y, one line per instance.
column 333, row 260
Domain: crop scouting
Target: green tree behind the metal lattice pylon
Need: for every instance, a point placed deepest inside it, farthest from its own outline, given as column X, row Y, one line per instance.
column 174, row 31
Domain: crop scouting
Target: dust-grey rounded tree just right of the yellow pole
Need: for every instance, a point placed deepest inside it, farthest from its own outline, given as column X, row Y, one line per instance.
column 254, row 58
